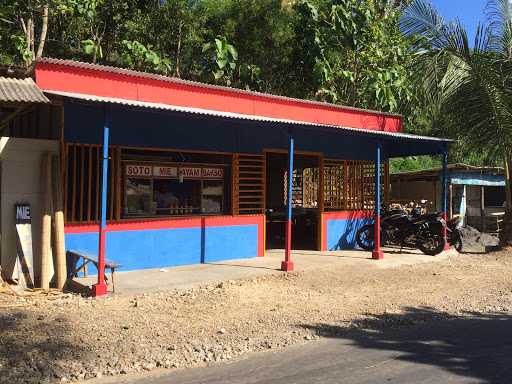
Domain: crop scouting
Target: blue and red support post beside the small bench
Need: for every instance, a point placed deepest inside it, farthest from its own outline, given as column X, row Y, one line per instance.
column 100, row 288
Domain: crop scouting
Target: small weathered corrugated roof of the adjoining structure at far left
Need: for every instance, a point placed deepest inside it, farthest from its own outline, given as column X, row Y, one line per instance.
column 20, row 91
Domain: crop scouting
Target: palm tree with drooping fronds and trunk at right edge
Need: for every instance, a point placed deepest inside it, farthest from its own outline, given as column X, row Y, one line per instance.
column 468, row 87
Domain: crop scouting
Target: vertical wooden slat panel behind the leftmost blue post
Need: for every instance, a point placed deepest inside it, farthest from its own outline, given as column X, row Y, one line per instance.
column 82, row 175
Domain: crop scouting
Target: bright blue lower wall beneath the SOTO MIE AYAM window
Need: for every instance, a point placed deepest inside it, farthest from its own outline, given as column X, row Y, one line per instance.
column 156, row 248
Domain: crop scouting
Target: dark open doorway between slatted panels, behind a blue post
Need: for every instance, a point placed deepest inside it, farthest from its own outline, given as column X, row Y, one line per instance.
column 305, row 188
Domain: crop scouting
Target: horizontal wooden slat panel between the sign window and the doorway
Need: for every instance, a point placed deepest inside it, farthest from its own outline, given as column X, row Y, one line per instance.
column 248, row 190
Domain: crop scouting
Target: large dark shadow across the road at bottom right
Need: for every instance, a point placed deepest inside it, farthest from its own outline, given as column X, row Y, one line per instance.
column 473, row 345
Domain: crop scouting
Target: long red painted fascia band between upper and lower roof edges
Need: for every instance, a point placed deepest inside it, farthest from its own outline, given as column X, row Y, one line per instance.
column 105, row 83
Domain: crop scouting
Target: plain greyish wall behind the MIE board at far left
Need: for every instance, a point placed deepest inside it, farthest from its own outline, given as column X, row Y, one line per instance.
column 20, row 167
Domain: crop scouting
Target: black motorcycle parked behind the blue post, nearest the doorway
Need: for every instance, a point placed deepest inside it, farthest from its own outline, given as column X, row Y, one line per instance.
column 413, row 230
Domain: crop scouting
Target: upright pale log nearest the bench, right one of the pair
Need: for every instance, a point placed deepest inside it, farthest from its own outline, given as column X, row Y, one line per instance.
column 59, row 250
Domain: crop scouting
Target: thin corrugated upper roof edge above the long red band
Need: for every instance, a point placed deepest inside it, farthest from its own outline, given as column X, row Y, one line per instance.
column 175, row 80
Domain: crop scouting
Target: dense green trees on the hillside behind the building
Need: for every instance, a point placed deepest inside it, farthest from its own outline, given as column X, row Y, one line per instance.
column 351, row 52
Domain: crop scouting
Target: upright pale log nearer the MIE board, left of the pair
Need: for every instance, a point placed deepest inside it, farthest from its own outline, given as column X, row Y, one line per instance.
column 46, row 223
